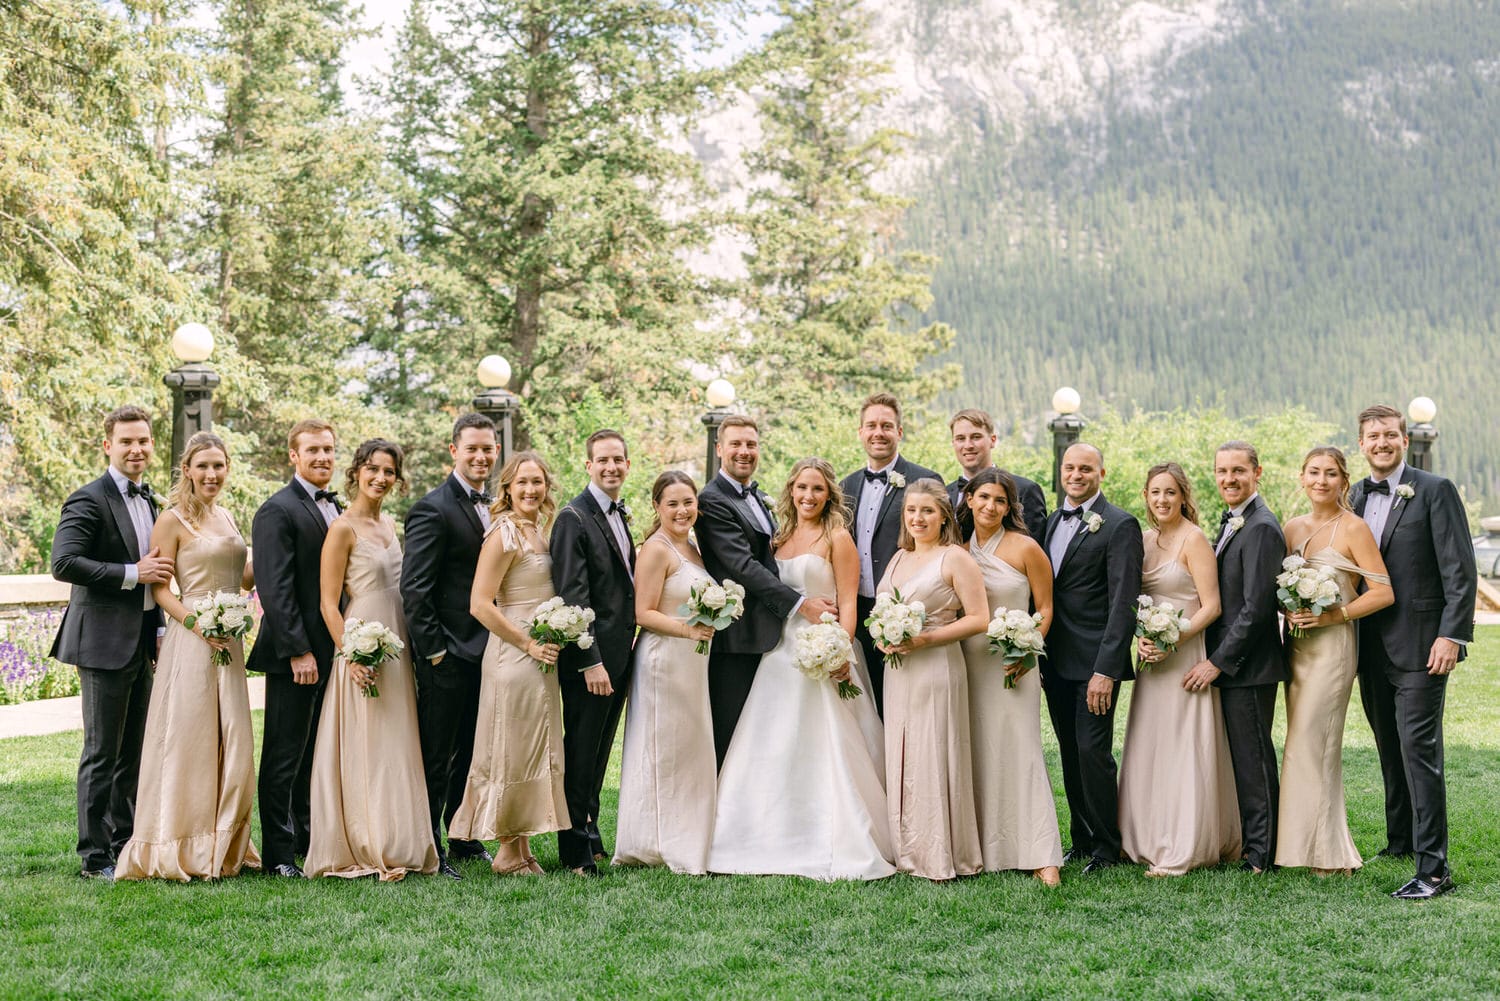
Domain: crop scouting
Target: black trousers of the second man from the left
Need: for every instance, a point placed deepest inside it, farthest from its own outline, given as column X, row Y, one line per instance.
column 286, row 783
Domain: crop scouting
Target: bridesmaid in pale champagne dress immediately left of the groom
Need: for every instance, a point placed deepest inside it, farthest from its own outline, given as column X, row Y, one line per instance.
column 668, row 777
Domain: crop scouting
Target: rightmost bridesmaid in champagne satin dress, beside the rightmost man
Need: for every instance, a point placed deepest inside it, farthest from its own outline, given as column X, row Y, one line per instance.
column 1313, row 829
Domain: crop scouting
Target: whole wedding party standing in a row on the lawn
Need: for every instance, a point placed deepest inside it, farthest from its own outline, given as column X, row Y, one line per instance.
column 839, row 681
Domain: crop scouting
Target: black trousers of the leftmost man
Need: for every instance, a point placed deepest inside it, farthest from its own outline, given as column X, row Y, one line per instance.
column 115, row 706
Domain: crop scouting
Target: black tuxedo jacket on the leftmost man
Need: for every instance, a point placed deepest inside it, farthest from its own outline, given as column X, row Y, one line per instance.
column 94, row 543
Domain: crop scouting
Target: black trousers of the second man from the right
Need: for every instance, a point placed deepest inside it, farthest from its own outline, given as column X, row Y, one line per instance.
column 1249, row 714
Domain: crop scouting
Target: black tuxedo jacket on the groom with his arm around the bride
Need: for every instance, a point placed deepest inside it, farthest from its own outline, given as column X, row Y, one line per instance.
column 736, row 549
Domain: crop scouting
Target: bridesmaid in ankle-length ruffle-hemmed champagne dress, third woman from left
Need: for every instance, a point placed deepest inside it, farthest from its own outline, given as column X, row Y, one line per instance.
column 515, row 781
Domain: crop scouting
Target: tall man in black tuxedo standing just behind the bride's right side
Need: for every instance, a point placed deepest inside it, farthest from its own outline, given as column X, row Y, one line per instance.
column 874, row 497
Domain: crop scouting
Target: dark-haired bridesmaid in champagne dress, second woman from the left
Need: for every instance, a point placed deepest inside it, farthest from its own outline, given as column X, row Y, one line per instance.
column 370, row 796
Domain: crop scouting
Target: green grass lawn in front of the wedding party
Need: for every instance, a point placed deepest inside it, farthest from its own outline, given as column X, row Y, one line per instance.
column 1217, row 934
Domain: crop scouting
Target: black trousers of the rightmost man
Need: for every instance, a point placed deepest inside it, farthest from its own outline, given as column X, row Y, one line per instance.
column 1406, row 714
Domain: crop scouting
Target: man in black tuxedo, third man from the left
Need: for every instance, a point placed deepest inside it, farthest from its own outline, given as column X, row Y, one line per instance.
column 445, row 534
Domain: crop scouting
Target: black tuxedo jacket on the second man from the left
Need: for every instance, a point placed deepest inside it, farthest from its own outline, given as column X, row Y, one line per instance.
column 287, row 534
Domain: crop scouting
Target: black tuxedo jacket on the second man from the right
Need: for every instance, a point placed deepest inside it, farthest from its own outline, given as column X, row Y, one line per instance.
column 1244, row 643
